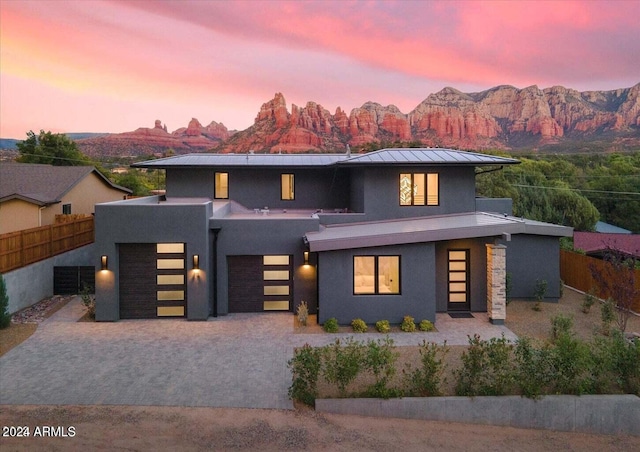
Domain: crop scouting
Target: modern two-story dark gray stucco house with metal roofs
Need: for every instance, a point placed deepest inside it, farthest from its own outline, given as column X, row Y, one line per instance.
column 374, row 236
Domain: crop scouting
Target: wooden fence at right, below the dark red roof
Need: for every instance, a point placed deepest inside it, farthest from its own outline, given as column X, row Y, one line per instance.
column 575, row 271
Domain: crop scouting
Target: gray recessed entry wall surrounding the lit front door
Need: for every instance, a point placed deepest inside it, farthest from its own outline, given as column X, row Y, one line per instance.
column 478, row 271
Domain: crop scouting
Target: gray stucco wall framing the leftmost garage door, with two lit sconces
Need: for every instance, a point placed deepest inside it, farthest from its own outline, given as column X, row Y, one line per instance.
column 149, row 221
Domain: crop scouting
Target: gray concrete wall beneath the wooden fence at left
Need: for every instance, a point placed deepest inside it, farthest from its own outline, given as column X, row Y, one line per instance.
column 30, row 284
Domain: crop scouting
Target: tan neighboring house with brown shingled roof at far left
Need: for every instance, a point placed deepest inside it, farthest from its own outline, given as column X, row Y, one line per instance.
column 31, row 195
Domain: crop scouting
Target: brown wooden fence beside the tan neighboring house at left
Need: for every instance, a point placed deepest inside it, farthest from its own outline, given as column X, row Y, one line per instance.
column 21, row 248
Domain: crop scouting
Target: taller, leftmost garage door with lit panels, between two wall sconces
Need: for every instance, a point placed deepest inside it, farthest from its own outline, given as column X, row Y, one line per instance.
column 152, row 280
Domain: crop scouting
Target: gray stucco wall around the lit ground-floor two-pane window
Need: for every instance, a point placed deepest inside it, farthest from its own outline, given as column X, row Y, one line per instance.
column 417, row 286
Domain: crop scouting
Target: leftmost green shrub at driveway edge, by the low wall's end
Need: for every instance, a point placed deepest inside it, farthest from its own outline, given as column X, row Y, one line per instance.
column 305, row 367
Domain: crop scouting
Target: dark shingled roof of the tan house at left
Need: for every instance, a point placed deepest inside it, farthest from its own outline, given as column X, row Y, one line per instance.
column 43, row 184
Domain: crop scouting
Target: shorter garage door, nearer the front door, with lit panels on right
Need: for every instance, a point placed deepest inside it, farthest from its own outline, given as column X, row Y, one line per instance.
column 260, row 283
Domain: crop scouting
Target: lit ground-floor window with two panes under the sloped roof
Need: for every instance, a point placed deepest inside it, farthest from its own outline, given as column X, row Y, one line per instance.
column 376, row 275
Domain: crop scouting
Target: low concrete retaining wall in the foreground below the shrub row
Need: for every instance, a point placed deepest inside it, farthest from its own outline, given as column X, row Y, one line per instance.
column 600, row 414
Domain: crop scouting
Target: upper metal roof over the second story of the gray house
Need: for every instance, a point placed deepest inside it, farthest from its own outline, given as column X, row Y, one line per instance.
column 395, row 156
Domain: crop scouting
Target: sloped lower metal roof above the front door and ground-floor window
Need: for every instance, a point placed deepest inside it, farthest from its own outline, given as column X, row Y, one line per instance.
column 426, row 229
